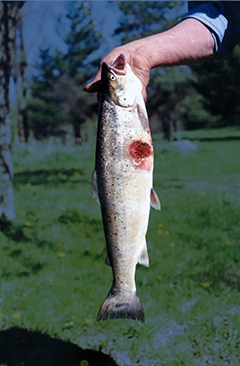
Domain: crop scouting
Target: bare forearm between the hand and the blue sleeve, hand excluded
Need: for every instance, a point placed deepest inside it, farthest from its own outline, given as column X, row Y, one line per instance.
column 188, row 42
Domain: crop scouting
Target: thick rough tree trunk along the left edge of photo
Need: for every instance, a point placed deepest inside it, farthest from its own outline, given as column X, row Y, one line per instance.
column 8, row 15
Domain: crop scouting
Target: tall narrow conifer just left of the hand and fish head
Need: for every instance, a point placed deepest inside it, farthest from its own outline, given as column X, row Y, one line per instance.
column 82, row 41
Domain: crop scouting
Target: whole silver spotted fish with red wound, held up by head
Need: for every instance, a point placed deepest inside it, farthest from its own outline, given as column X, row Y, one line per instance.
column 122, row 183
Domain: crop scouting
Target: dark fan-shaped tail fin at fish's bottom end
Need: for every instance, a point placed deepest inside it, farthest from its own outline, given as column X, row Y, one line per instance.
column 121, row 304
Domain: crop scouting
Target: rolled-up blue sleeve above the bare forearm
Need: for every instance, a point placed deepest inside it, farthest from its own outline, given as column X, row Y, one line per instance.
column 222, row 19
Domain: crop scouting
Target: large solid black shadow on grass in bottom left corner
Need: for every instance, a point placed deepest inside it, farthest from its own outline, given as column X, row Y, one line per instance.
column 32, row 348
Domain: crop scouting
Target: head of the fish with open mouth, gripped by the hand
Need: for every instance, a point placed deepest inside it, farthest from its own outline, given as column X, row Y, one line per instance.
column 119, row 84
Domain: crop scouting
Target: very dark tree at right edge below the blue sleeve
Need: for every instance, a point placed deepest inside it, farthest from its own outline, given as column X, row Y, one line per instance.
column 218, row 85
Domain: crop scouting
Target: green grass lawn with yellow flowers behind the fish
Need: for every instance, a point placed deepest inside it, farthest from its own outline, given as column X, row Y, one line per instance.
column 53, row 276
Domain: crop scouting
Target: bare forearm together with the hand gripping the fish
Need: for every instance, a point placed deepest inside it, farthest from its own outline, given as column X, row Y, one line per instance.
column 187, row 43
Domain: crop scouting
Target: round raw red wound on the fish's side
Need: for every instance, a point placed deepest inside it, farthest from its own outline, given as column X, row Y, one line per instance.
column 139, row 151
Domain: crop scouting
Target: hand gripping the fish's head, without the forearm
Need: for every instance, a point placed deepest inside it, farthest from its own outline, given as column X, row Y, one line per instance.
column 134, row 57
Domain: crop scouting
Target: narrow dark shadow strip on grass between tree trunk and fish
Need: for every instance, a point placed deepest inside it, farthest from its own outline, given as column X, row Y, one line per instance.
column 50, row 177
